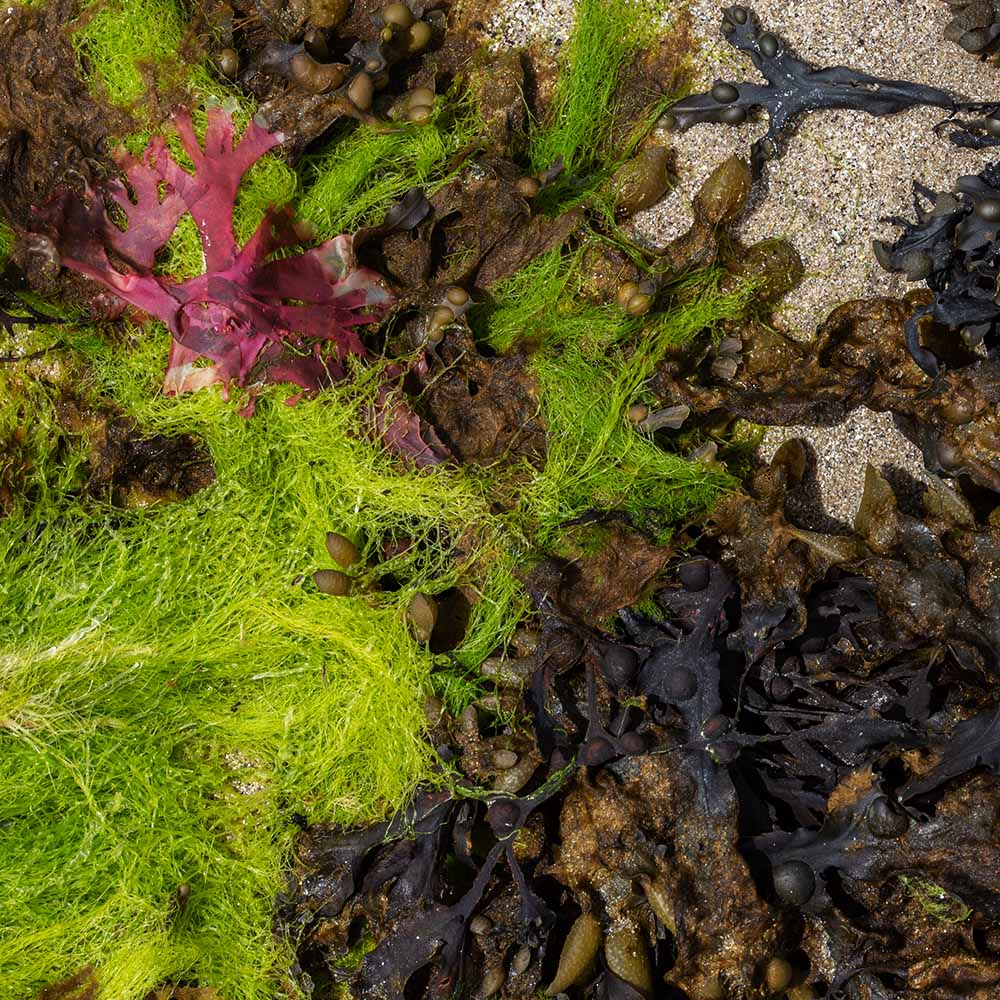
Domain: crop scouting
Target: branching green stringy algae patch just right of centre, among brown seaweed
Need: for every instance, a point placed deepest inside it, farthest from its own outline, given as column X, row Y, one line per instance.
column 592, row 362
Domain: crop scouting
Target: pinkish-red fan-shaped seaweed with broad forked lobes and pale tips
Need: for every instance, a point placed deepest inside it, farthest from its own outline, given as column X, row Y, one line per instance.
column 238, row 314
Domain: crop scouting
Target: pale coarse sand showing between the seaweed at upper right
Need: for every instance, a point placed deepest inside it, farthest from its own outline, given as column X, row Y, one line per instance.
column 842, row 173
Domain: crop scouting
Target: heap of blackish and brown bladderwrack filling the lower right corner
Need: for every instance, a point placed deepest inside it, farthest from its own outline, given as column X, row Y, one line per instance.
column 734, row 790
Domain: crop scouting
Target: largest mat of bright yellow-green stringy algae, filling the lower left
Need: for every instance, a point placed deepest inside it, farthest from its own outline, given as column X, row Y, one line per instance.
column 171, row 691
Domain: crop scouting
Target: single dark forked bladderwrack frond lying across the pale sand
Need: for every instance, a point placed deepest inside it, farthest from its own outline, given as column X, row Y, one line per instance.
column 795, row 88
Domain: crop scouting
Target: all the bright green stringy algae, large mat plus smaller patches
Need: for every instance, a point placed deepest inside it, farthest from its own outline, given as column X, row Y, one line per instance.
column 173, row 687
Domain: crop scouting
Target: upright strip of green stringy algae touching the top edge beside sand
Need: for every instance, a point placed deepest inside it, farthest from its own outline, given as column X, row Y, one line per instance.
column 606, row 35
